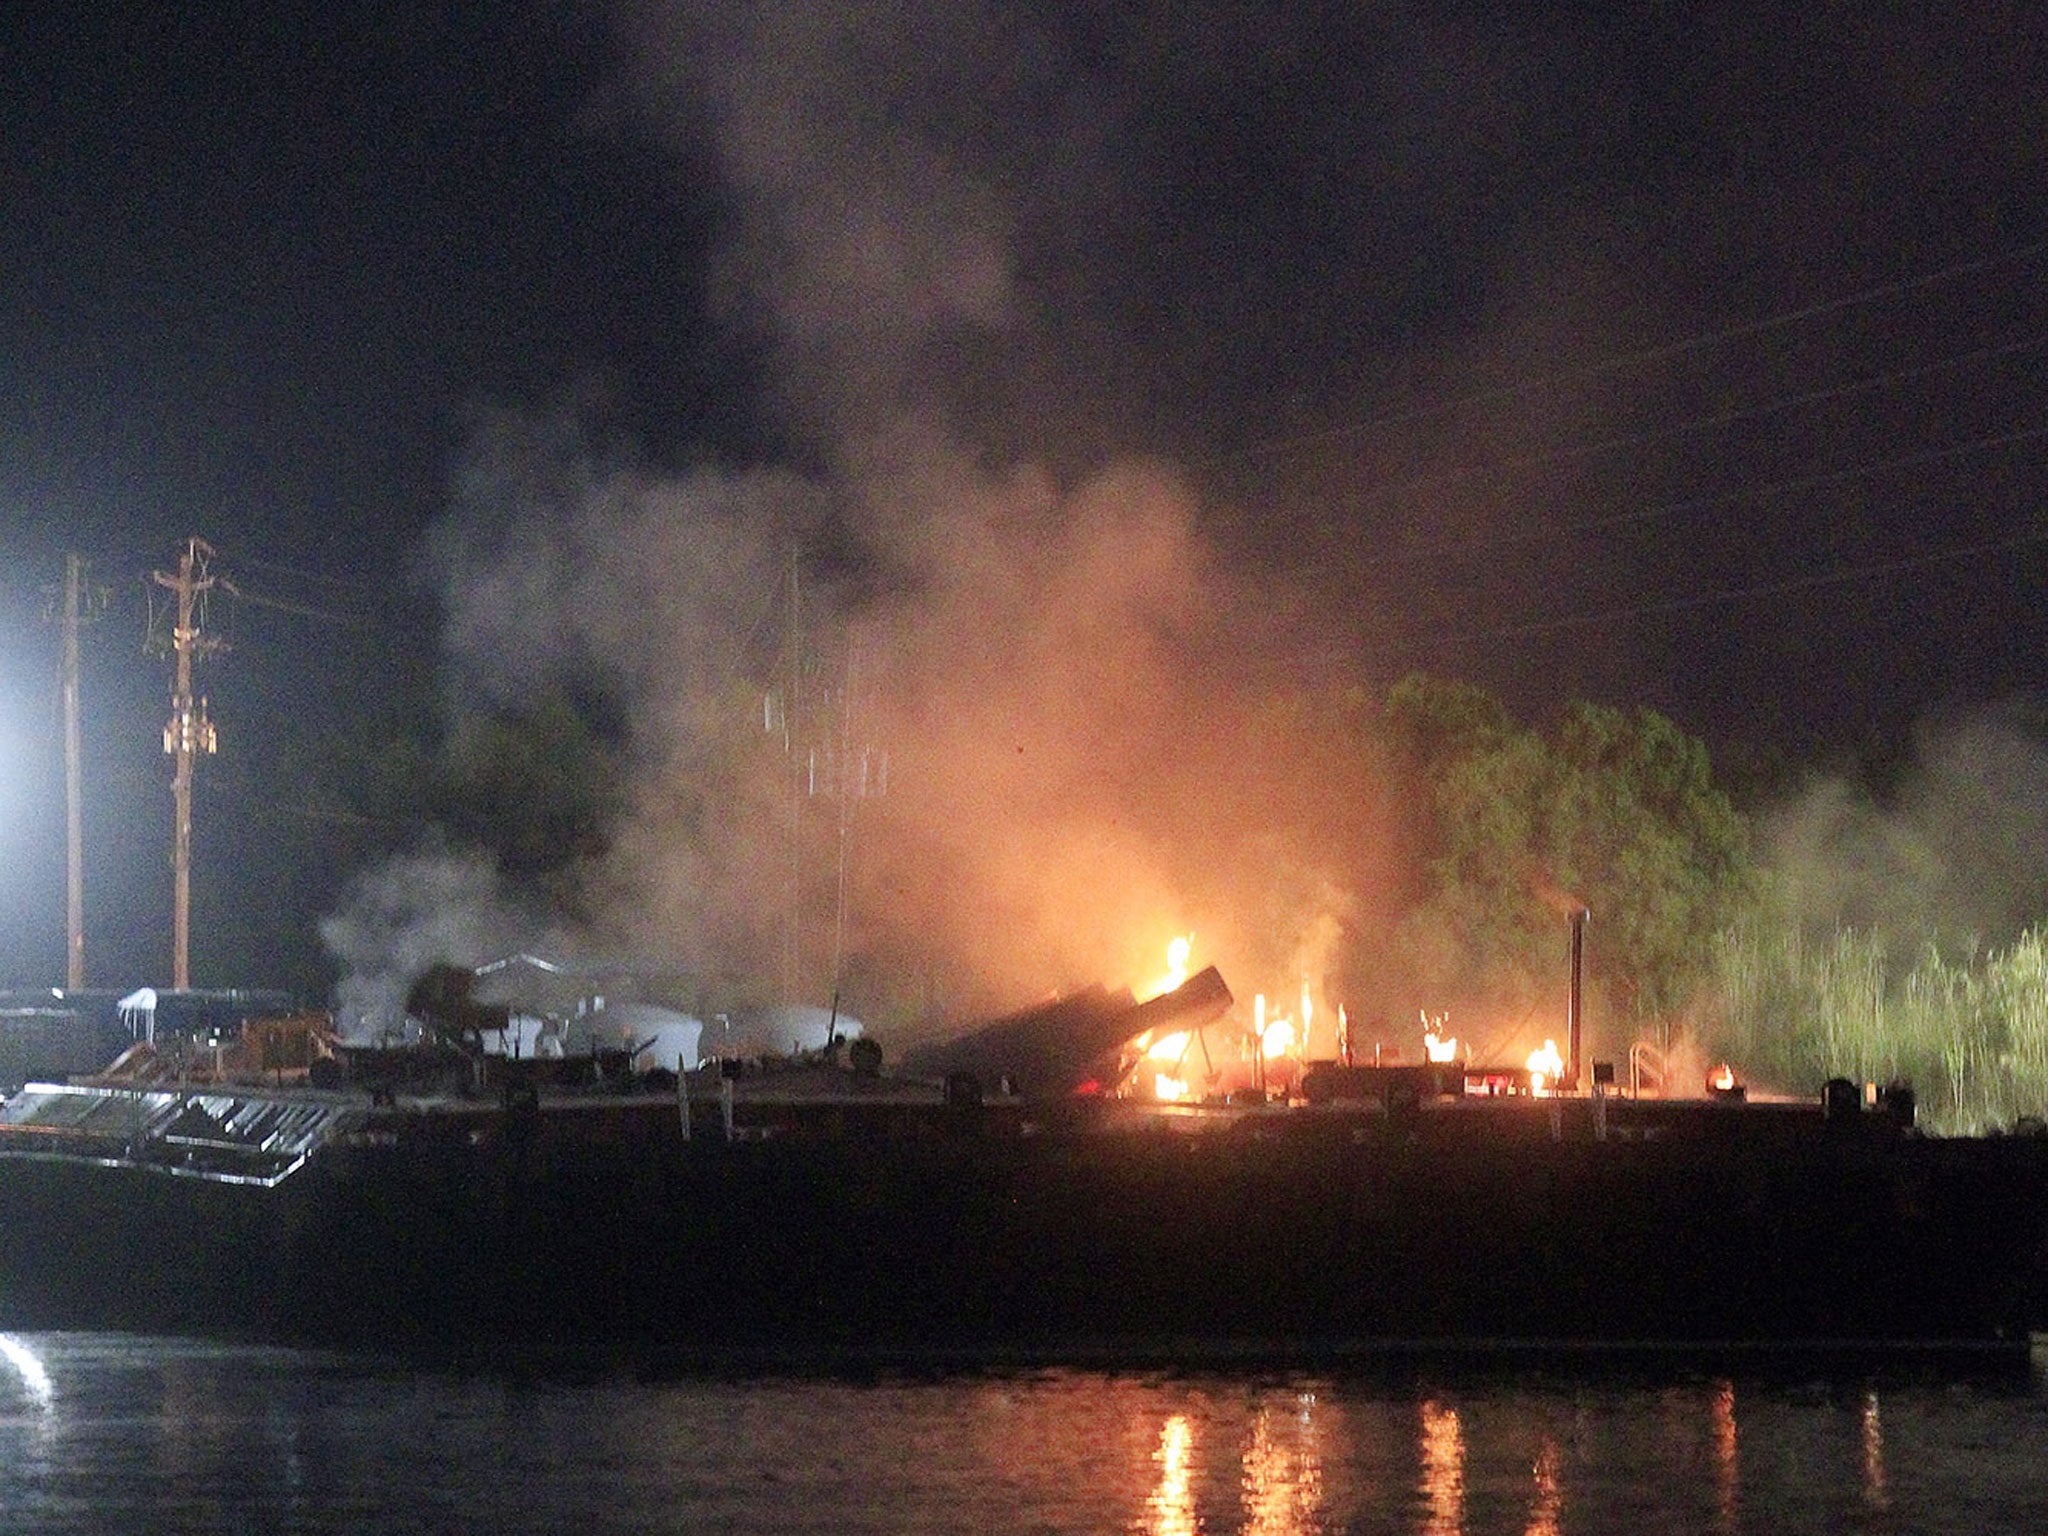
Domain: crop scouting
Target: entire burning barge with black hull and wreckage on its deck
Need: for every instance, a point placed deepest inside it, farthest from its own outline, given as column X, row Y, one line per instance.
column 990, row 1199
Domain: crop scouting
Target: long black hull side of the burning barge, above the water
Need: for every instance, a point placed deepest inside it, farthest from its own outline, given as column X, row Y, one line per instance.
column 601, row 1226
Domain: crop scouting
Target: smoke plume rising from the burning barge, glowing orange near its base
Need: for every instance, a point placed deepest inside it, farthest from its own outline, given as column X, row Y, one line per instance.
column 1089, row 728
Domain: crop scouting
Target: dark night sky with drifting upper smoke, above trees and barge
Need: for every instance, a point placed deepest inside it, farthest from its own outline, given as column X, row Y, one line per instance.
column 1676, row 357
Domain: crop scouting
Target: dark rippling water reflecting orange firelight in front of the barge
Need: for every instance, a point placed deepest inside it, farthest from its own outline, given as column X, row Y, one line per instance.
column 130, row 1435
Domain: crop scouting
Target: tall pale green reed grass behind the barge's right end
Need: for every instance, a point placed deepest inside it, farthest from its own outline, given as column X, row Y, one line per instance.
column 1969, row 1033
